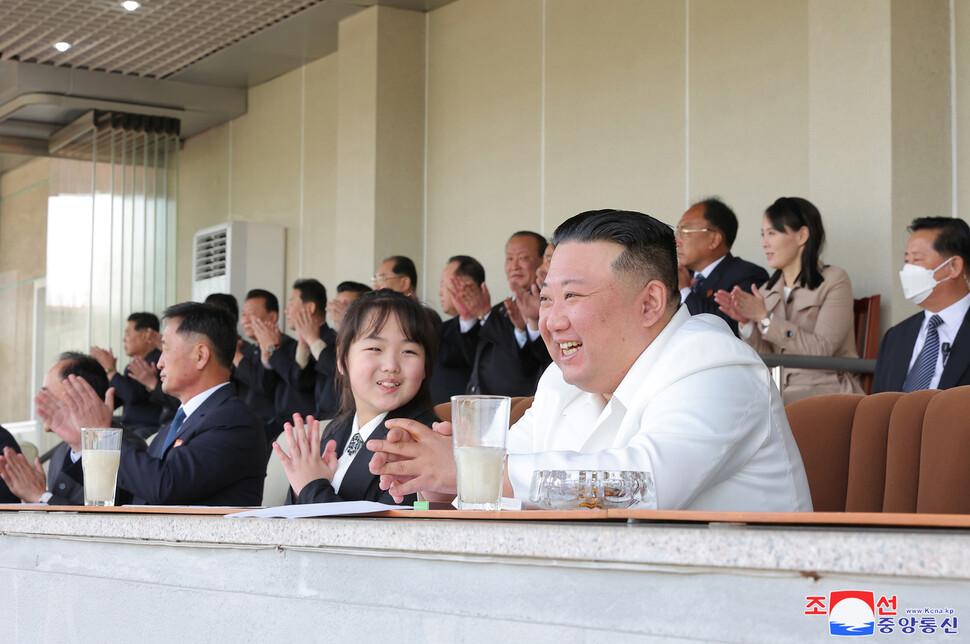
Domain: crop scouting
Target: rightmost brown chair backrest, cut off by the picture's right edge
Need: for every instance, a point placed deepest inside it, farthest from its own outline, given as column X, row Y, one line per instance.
column 944, row 457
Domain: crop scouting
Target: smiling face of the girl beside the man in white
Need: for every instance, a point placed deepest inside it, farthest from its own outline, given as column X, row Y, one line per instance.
column 385, row 370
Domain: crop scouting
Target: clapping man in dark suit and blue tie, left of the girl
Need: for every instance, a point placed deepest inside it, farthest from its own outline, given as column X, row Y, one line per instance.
column 214, row 452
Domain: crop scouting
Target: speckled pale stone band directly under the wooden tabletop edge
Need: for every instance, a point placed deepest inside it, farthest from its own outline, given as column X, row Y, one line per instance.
column 931, row 554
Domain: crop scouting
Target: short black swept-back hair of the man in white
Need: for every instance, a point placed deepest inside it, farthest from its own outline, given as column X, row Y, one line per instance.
column 650, row 249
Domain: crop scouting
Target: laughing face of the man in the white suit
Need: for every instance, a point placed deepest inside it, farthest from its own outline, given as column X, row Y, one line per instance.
column 591, row 320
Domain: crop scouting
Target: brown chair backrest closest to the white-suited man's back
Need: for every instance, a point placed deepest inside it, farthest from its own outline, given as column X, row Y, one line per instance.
column 822, row 426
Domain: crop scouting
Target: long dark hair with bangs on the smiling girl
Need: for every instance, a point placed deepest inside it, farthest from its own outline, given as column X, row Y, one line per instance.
column 368, row 314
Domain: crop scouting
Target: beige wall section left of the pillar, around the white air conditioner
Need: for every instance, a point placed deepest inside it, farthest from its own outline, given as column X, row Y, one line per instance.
column 276, row 164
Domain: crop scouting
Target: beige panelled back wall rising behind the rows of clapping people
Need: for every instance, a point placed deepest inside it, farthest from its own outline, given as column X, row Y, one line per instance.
column 537, row 110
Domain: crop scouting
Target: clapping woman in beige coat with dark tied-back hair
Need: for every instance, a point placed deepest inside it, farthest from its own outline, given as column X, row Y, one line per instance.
column 805, row 308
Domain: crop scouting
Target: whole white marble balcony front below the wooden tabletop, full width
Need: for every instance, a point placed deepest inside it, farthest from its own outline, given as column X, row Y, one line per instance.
column 191, row 578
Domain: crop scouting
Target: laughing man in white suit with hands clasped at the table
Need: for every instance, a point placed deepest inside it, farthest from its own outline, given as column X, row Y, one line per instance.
column 637, row 384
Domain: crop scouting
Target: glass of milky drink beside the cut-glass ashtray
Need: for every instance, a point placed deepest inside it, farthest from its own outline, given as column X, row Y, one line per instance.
column 480, row 425
